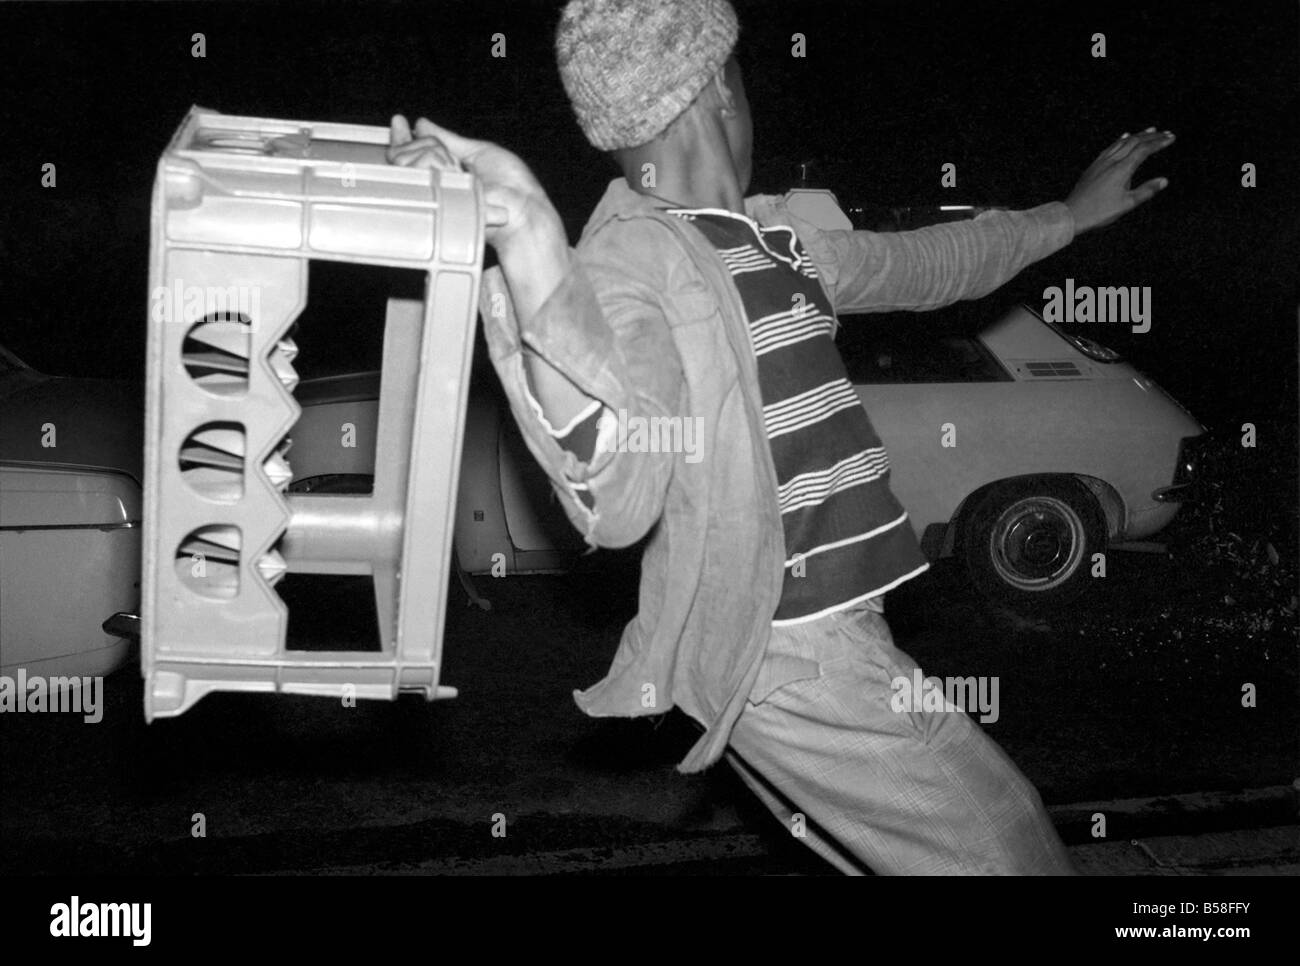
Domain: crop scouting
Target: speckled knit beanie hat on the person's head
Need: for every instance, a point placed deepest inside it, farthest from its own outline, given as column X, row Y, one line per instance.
column 631, row 67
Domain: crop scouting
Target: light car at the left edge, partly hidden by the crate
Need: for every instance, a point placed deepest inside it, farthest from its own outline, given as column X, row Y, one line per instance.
column 71, row 471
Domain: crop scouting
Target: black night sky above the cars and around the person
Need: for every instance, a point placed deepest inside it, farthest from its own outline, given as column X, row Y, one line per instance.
column 889, row 93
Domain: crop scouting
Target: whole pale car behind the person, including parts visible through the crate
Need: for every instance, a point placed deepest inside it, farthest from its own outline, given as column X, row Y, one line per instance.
column 1020, row 448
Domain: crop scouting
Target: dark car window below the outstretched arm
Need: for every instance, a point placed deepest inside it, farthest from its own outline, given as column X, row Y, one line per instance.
column 894, row 348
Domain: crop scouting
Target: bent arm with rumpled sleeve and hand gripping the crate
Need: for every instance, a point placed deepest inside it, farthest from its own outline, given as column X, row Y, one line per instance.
column 574, row 341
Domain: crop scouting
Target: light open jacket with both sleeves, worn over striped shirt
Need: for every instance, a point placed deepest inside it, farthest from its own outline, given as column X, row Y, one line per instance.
column 649, row 323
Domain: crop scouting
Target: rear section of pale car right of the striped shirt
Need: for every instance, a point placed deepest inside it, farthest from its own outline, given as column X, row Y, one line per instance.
column 1021, row 448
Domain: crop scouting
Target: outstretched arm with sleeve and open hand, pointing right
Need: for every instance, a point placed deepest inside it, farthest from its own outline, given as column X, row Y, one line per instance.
column 937, row 266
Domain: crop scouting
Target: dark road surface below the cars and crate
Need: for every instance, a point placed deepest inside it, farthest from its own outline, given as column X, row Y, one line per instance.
column 1128, row 699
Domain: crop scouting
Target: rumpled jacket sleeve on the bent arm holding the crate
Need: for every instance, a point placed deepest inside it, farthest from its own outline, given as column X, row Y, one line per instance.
column 604, row 328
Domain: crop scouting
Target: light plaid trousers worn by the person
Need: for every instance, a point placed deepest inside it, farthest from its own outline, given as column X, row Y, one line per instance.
column 898, row 792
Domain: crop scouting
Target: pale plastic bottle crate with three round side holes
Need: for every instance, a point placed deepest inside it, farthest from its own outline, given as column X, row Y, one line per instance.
column 241, row 206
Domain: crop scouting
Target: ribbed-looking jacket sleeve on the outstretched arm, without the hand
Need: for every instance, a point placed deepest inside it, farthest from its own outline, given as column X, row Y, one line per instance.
column 937, row 266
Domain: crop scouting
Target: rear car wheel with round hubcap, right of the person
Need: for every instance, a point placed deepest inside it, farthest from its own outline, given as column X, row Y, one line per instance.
column 1029, row 544
